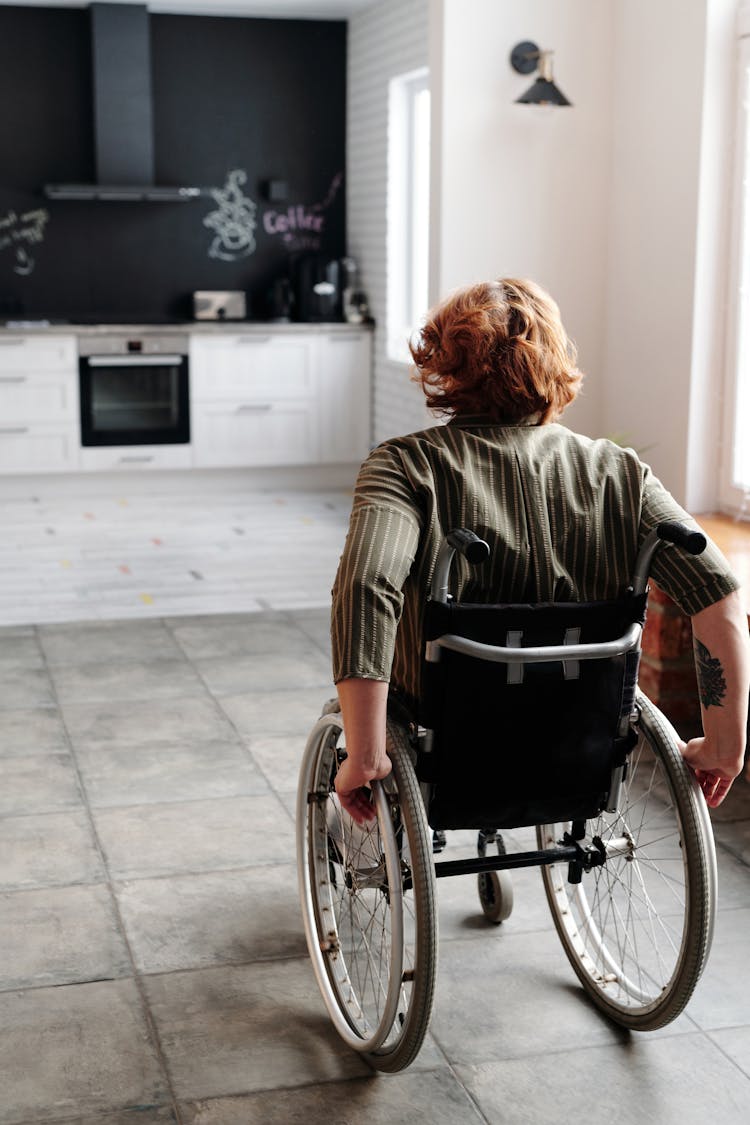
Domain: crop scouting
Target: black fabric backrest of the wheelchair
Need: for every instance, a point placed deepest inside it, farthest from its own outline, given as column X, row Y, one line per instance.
column 529, row 742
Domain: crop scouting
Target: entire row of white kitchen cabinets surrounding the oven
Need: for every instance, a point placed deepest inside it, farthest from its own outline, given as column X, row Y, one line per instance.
column 260, row 398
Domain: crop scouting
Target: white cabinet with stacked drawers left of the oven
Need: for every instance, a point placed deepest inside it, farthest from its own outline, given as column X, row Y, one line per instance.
column 40, row 426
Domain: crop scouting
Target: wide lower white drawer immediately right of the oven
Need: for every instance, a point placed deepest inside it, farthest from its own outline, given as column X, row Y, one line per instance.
column 281, row 434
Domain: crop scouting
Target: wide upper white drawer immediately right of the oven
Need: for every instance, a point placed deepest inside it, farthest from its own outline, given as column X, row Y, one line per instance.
column 252, row 367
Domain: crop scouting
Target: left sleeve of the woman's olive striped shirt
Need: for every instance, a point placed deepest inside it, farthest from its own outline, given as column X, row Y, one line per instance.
column 381, row 547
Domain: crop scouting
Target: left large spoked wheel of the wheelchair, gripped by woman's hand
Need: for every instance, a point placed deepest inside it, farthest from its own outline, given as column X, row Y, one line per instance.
column 368, row 901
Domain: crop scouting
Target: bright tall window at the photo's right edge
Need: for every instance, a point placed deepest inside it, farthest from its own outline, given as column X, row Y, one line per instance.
column 736, row 492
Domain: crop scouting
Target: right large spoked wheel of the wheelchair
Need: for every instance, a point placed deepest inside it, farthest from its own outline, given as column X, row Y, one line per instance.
column 638, row 930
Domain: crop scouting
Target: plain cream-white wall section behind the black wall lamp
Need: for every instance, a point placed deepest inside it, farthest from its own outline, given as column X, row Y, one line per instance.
column 522, row 192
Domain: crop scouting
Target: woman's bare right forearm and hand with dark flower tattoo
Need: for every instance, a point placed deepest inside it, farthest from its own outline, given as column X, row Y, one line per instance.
column 722, row 662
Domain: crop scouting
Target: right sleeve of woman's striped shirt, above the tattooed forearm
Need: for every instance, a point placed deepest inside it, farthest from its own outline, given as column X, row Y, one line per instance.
column 695, row 582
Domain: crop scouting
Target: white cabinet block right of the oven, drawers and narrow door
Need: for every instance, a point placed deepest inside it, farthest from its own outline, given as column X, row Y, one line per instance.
column 267, row 399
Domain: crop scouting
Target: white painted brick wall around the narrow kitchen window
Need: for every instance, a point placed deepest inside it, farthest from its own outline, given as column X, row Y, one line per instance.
column 386, row 40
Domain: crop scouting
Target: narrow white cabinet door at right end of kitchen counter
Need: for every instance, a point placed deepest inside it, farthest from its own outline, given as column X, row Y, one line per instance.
column 345, row 364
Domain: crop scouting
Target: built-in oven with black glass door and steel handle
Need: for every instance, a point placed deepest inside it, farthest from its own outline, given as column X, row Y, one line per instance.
column 134, row 390
